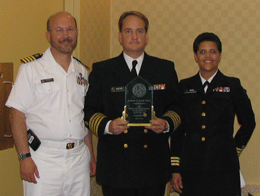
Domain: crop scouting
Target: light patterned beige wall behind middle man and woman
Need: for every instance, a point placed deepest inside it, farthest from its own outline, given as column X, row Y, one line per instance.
column 173, row 28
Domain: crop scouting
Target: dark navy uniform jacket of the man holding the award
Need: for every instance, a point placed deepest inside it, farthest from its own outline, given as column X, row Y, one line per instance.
column 137, row 157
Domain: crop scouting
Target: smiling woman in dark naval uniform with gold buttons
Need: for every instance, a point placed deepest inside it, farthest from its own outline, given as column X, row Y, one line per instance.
column 204, row 151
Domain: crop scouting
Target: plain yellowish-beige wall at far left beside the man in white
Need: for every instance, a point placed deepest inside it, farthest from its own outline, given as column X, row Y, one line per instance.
column 23, row 26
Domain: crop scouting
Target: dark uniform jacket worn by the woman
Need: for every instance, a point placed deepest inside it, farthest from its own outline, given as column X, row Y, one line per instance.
column 205, row 141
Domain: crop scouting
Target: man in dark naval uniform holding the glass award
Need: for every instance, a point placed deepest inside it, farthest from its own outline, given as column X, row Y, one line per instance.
column 132, row 160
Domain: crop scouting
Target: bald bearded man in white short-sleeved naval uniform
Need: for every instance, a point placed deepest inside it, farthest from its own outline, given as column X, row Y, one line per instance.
column 48, row 98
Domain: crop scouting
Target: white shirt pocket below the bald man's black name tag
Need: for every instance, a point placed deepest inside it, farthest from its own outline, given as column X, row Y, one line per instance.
column 48, row 95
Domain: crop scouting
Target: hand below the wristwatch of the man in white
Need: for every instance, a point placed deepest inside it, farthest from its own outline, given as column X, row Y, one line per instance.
column 28, row 170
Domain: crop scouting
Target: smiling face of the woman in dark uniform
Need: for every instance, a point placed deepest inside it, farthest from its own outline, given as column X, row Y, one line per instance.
column 208, row 57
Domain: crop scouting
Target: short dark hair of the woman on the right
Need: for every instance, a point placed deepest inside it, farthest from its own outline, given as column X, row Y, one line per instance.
column 206, row 37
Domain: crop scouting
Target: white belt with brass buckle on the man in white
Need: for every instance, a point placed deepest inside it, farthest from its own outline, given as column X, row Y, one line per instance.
column 61, row 144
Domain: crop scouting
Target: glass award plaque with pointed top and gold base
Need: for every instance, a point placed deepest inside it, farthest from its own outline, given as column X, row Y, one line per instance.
column 138, row 109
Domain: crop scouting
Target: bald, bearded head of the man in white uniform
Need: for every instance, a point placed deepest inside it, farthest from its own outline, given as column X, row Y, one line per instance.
column 63, row 33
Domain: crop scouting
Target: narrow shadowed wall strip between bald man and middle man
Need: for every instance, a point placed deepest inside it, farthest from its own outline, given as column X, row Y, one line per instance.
column 95, row 31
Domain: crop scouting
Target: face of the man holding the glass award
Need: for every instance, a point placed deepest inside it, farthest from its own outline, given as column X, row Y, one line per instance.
column 133, row 36
